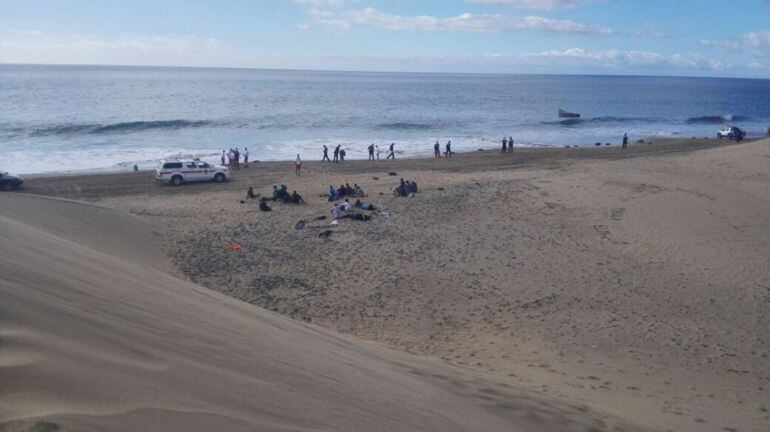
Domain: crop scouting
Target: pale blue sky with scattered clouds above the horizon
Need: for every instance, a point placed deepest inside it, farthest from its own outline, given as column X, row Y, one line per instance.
column 722, row 38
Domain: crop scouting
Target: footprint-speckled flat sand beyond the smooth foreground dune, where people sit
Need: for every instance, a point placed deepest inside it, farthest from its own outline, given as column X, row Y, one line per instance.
column 634, row 282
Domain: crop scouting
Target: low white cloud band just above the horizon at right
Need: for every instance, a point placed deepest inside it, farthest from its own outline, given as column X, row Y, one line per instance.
column 622, row 59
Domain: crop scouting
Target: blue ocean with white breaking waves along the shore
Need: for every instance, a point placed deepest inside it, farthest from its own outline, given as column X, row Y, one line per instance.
column 85, row 118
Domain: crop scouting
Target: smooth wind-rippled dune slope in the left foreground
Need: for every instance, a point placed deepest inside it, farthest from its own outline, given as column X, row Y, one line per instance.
column 96, row 333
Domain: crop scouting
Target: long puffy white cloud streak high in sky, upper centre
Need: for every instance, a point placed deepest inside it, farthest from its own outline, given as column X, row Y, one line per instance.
column 461, row 23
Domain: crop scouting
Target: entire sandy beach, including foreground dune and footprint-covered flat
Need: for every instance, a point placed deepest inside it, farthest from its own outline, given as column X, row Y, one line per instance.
column 551, row 289
